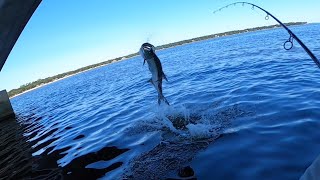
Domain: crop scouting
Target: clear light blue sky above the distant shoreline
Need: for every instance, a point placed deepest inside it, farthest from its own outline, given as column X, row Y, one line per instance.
column 66, row 35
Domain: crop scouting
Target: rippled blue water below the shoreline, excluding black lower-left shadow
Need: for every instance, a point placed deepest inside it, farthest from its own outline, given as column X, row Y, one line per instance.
column 249, row 110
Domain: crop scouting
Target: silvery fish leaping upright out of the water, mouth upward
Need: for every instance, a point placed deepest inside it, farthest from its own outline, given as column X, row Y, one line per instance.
column 147, row 51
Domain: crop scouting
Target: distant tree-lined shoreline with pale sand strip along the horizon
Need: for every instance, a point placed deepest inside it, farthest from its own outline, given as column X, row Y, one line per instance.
column 43, row 82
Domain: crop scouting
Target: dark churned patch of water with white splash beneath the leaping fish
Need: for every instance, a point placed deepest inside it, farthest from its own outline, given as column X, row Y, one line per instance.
column 188, row 133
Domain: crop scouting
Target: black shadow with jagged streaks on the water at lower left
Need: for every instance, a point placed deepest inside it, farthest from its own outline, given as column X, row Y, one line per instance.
column 17, row 161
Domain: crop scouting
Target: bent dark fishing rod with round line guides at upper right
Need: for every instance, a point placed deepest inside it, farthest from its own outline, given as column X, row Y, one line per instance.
column 291, row 37
